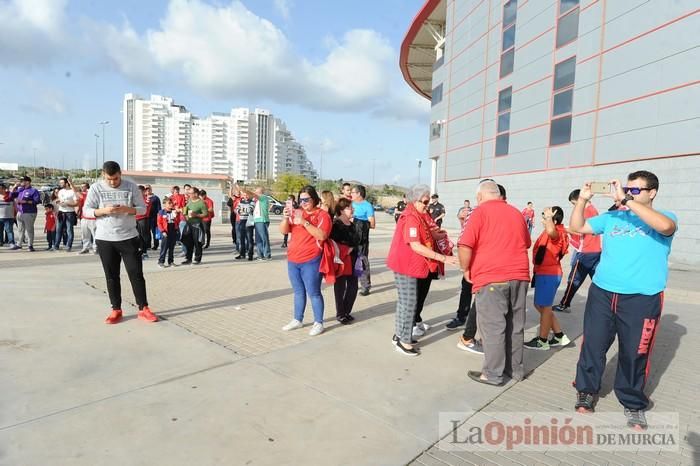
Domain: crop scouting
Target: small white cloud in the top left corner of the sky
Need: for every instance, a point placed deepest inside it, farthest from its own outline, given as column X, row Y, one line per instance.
column 31, row 31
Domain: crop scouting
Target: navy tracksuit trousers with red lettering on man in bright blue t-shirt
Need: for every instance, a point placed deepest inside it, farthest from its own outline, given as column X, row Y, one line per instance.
column 634, row 319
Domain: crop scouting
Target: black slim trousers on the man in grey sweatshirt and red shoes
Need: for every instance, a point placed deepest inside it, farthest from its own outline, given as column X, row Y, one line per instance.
column 111, row 255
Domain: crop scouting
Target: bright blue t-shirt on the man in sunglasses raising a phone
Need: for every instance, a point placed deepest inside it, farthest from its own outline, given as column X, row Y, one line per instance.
column 635, row 256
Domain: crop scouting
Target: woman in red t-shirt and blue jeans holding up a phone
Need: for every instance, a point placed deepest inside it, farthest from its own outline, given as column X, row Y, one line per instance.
column 310, row 226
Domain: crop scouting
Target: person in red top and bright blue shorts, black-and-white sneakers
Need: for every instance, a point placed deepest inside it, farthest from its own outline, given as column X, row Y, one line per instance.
column 549, row 249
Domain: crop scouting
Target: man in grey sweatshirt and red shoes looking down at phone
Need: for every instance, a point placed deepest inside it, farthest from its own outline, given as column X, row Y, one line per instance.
column 115, row 202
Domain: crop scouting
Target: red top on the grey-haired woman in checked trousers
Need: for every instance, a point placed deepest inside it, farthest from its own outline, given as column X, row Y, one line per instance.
column 401, row 258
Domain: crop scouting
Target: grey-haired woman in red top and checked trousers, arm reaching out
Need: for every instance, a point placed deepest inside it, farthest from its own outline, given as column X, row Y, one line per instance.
column 413, row 259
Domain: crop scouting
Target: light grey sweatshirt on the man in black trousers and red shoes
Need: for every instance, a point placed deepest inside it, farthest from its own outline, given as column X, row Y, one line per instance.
column 114, row 227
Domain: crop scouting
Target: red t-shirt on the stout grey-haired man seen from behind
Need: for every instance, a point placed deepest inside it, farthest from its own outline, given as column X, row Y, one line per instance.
column 499, row 239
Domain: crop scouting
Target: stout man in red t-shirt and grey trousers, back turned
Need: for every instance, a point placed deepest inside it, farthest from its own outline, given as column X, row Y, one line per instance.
column 493, row 253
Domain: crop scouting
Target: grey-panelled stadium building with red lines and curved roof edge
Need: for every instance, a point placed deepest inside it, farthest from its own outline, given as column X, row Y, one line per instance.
column 543, row 95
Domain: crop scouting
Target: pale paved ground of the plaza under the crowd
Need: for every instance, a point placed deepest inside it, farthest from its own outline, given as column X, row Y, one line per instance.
column 217, row 382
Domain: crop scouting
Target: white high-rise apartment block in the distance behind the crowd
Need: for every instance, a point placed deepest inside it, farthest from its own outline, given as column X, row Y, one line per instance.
column 160, row 135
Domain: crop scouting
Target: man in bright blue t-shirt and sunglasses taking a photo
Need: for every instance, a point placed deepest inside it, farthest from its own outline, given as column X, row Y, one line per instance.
column 626, row 296
